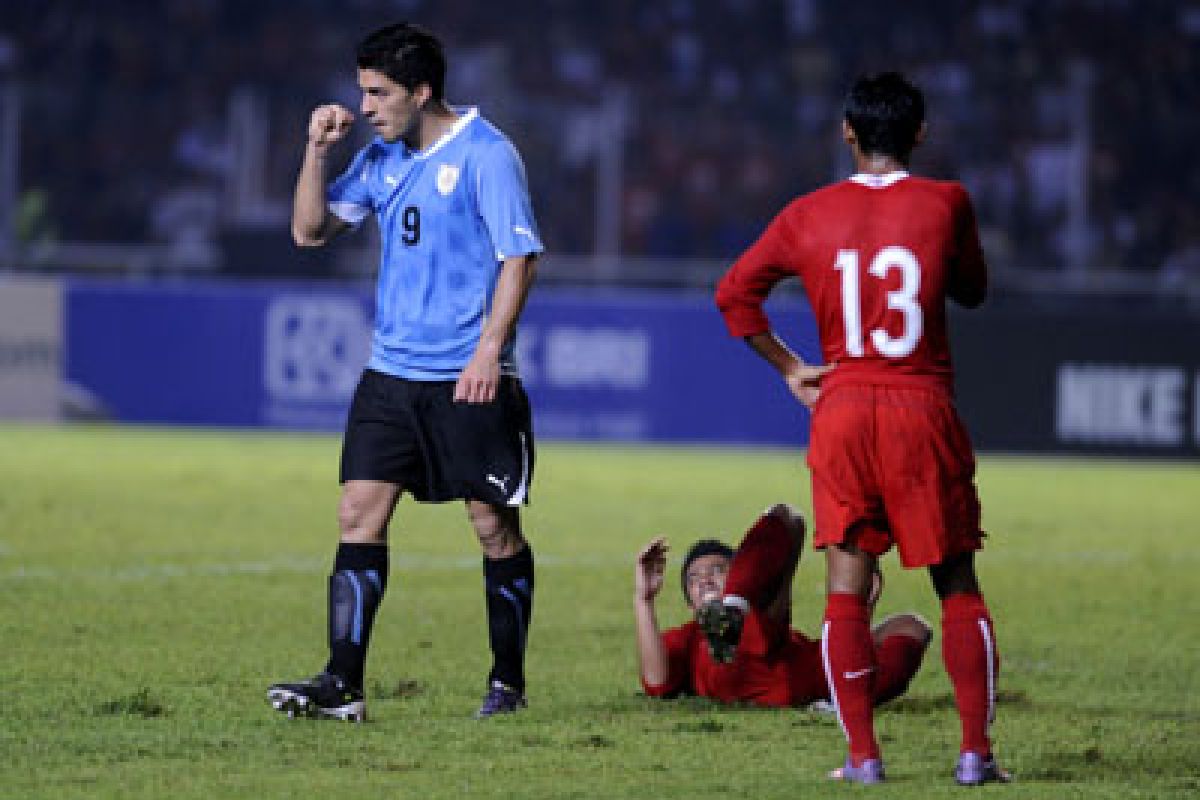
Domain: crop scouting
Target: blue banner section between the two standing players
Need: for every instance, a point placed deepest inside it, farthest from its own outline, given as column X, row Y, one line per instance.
column 659, row 368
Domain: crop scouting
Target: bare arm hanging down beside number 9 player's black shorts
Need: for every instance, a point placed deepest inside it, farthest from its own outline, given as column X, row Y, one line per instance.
column 482, row 376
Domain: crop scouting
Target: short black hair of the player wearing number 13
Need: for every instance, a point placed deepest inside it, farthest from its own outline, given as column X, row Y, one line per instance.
column 886, row 112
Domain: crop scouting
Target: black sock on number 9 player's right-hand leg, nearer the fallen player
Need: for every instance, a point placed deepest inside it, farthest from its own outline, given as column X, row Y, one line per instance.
column 508, row 586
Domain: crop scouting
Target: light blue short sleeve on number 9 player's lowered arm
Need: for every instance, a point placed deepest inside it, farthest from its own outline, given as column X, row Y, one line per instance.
column 503, row 197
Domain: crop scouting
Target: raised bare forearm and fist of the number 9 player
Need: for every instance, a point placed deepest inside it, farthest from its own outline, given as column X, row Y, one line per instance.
column 313, row 224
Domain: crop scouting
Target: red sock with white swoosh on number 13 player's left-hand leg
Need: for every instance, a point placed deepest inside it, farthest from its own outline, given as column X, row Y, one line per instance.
column 849, row 657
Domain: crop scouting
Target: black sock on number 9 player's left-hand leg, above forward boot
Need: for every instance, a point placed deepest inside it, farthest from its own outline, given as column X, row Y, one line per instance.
column 361, row 576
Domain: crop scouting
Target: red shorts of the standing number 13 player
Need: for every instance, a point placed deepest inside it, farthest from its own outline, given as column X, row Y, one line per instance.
column 893, row 466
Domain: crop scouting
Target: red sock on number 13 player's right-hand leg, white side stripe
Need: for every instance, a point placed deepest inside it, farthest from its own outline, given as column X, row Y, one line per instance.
column 969, row 652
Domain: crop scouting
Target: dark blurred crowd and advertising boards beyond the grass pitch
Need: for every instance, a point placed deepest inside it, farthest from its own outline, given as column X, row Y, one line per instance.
column 148, row 149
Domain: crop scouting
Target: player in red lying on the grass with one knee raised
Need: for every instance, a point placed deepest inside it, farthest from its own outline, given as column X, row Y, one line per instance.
column 772, row 665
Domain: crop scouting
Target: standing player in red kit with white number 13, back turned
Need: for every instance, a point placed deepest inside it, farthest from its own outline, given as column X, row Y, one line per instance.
column 891, row 462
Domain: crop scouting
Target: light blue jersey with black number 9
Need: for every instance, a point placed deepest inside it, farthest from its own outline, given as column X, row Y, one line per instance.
column 448, row 216
